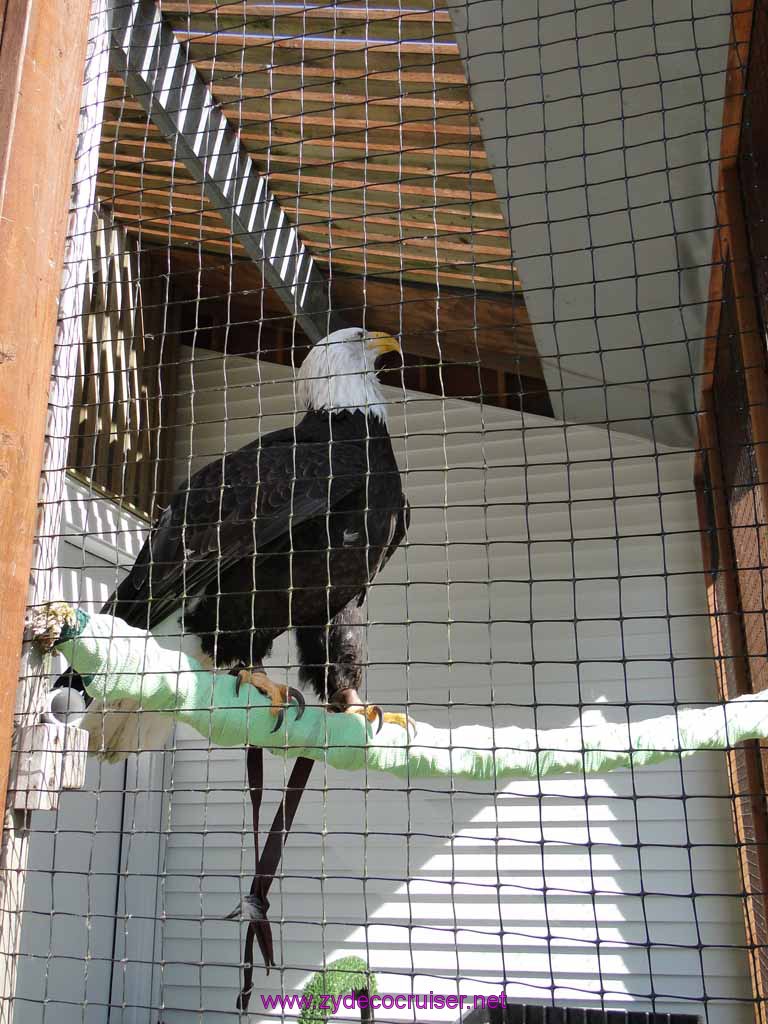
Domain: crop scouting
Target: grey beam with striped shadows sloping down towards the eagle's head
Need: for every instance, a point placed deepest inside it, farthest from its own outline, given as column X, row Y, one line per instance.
column 161, row 76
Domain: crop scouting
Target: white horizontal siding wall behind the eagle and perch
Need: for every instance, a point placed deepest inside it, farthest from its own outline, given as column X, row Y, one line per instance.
column 549, row 569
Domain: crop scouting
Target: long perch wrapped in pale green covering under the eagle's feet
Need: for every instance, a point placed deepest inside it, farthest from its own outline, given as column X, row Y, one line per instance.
column 127, row 670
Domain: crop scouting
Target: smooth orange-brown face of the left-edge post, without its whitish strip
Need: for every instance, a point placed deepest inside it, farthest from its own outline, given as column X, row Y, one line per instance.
column 42, row 53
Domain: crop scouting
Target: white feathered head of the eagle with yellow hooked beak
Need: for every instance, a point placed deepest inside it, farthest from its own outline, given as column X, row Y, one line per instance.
column 339, row 373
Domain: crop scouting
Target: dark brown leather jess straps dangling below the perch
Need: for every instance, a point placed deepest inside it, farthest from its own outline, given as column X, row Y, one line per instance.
column 269, row 863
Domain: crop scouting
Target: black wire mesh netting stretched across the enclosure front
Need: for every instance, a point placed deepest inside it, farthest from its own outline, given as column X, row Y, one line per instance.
column 411, row 355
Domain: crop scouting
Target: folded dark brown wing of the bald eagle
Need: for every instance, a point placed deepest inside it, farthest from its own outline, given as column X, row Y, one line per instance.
column 233, row 507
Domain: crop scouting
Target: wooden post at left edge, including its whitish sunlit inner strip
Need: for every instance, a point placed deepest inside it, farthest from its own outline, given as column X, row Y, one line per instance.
column 42, row 57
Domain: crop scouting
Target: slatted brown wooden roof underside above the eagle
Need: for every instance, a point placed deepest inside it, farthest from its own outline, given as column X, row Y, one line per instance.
column 362, row 123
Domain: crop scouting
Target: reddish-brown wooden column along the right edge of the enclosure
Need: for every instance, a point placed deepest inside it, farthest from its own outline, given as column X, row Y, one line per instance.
column 734, row 429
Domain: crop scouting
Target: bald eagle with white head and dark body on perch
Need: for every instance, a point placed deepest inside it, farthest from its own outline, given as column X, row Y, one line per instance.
column 286, row 533
